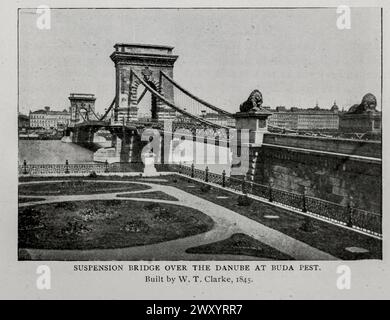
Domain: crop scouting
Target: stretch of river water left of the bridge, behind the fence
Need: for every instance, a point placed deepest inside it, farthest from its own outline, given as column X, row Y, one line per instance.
column 52, row 152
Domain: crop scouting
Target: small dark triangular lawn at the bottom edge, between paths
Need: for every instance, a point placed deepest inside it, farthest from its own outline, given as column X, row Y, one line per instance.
column 241, row 244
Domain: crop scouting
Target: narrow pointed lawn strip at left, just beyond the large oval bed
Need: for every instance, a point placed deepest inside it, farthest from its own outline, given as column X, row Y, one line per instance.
column 77, row 186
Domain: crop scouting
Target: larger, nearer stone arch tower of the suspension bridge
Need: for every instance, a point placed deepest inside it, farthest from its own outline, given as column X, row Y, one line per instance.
column 147, row 61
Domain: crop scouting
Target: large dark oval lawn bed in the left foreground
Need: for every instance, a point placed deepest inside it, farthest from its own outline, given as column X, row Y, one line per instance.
column 105, row 224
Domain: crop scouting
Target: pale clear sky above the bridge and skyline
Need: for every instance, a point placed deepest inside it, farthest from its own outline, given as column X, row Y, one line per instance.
column 295, row 57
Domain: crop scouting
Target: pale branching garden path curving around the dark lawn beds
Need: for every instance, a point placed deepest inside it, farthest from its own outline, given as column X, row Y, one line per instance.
column 227, row 222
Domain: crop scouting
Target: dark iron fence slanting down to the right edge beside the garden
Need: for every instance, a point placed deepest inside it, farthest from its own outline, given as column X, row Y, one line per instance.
column 356, row 218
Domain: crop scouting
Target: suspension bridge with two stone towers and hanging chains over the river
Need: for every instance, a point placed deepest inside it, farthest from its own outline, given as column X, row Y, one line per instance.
column 146, row 72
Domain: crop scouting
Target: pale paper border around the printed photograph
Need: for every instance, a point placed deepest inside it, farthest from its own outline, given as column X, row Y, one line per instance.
column 370, row 279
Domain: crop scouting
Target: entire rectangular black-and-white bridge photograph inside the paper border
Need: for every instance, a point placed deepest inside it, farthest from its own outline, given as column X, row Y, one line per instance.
column 199, row 134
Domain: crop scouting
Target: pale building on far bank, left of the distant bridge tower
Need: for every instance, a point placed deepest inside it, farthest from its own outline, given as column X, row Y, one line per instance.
column 49, row 119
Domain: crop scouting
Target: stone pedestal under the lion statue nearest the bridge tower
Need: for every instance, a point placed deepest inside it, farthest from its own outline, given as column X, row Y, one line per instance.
column 255, row 122
